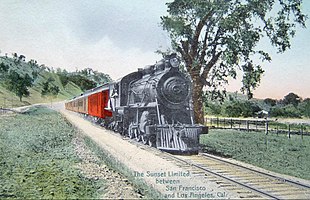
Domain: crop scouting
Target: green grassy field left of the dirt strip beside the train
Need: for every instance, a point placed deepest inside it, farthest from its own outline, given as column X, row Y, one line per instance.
column 37, row 158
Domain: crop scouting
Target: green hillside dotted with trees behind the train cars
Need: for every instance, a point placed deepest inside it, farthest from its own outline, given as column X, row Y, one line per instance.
column 70, row 84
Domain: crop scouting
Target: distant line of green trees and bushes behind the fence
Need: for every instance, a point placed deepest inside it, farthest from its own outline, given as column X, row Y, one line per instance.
column 292, row 106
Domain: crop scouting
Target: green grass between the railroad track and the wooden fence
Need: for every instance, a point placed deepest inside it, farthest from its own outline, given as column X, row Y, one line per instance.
column 273, row 152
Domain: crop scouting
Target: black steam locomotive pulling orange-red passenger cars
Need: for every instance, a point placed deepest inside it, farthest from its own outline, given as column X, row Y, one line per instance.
column 152, row 105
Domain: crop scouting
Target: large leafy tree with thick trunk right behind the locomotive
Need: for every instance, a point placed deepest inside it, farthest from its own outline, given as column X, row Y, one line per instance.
column 217, row 38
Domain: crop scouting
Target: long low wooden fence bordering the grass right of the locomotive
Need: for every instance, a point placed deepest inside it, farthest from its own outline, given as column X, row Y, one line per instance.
column 258, row 125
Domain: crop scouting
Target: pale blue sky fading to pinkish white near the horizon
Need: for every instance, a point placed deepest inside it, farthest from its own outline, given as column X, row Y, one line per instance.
column 118, row 36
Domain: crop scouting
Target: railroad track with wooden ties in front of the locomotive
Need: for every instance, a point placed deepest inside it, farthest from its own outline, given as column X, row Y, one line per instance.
column 247, row 182
